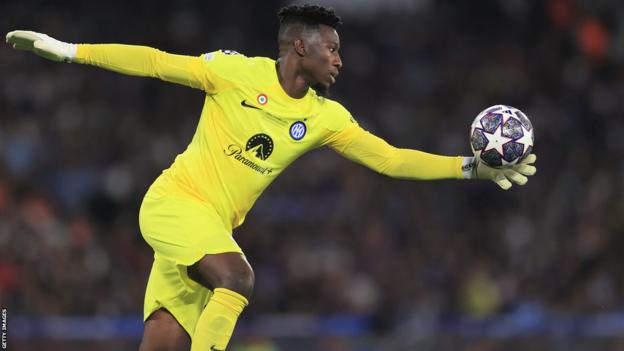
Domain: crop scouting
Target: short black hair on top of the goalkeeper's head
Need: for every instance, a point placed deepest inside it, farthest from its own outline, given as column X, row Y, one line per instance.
column 310, row 15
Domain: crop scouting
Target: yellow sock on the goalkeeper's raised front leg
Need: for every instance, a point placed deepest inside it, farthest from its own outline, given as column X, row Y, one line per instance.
column 216, row 323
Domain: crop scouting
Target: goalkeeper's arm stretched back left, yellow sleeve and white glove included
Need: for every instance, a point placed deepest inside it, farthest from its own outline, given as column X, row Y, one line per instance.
column 127, row 59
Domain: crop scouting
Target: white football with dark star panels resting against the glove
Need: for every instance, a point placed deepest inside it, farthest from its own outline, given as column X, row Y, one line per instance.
column 501, row 136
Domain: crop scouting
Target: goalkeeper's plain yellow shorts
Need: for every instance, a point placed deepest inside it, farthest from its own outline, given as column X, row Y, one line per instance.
column 181, row 231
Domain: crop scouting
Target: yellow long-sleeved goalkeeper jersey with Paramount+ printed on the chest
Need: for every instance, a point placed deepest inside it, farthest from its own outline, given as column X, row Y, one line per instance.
column 250, row 130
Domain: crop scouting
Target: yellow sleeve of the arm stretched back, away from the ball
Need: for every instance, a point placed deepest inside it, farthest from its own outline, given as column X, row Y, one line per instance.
column 148, row 62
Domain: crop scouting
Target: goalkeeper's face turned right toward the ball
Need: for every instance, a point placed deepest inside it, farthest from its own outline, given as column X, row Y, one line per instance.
column 321, row 62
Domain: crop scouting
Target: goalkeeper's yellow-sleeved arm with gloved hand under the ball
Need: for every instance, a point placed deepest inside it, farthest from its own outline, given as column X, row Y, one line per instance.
column 375, row 153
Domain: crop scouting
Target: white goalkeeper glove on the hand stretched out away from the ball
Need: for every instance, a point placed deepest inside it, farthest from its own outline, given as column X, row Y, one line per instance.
column 42, row 45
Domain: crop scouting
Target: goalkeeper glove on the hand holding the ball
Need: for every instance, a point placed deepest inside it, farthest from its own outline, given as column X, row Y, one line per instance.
column 472, row 168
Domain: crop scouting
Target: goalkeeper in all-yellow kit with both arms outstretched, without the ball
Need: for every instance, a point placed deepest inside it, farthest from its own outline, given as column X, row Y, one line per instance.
column 259, row 116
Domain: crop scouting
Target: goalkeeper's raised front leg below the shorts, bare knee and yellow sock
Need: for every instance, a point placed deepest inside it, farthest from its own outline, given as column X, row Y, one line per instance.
column 232, row 279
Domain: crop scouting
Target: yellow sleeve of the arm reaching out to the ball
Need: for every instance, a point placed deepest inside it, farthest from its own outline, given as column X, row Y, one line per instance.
column 360, row 146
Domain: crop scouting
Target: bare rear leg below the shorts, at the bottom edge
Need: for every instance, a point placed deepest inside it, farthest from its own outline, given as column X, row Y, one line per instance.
column 163, row 333
